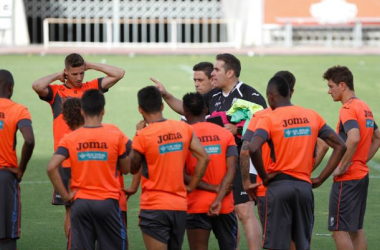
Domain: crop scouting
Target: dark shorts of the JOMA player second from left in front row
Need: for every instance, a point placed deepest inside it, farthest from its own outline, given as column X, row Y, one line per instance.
column 97, row 221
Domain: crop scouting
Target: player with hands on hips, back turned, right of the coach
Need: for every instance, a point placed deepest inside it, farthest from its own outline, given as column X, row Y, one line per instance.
column 292, row 133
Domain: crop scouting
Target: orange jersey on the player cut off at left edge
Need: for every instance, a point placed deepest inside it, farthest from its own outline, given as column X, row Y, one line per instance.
column 12, row 117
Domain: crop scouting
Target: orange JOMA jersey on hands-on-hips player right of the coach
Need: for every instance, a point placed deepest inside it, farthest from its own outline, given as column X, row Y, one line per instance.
column 291, row 133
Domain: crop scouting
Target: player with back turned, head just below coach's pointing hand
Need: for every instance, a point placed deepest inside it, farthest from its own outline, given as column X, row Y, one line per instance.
column 161, row 149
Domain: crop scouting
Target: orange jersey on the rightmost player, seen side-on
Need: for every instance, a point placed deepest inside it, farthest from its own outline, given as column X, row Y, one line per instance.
column 355, row 113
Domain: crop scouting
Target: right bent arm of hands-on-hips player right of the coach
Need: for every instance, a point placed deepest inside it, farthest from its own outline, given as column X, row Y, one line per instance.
column 339, row 148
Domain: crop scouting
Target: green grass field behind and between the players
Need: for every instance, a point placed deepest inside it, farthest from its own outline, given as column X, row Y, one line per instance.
column 42, row 223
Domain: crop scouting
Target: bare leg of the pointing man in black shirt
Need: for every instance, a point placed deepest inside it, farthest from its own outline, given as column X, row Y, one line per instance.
column 251, row 226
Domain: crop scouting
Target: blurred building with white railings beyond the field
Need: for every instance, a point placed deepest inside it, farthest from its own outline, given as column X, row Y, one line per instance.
column 193, row 23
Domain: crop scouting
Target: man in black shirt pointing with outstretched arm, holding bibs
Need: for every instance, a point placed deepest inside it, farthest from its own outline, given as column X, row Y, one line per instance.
column 228, row 88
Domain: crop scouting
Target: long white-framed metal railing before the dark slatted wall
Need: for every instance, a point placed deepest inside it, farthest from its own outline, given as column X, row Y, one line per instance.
column 170, row 33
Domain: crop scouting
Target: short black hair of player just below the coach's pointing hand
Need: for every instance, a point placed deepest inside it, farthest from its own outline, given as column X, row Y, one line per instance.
column 150, row 99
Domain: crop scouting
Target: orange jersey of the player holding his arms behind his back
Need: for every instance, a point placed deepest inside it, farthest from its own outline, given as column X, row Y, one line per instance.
column 219, row 145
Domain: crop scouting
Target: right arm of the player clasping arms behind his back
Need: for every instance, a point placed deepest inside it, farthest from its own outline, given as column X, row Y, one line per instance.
column 225, row 186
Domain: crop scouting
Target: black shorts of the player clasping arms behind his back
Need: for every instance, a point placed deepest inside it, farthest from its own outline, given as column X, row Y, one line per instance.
column 224, row 227
